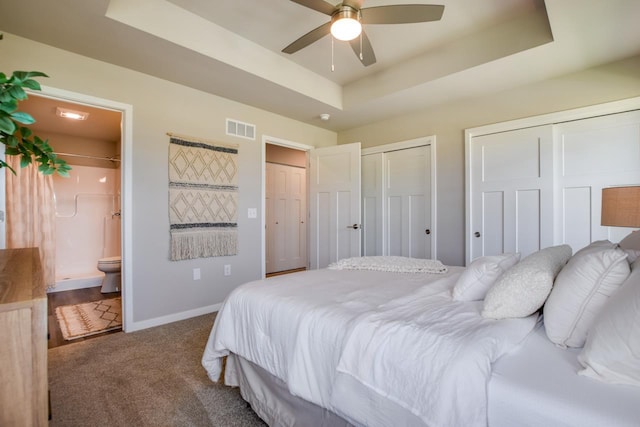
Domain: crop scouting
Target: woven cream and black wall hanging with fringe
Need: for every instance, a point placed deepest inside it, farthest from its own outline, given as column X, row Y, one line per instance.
column 203, row 198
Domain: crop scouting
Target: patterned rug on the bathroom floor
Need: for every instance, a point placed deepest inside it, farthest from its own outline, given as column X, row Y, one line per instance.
column 81, row 320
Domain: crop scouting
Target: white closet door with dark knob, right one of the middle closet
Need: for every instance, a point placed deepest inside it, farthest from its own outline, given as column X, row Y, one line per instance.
column 407, row 193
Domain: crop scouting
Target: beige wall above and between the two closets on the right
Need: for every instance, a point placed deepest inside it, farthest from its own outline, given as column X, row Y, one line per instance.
column 606, row 83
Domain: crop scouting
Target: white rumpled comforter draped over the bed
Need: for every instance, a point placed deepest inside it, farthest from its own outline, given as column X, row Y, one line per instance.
column 345, row 340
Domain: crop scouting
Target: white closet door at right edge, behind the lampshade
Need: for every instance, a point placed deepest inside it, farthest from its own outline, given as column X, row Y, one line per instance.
column 592, row 154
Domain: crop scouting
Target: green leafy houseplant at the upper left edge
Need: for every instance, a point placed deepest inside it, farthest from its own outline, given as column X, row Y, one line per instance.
column 14, row 133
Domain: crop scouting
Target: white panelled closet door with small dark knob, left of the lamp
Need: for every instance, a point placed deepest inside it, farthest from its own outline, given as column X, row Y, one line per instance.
column 511, row 187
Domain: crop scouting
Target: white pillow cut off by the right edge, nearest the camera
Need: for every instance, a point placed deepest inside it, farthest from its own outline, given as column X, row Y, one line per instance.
column 612, row 350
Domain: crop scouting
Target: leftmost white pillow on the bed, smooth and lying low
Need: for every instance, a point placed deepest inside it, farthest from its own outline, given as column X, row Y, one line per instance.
column 477, row 278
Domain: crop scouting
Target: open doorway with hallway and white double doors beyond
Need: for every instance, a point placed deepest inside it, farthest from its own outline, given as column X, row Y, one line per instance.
column 286, row 215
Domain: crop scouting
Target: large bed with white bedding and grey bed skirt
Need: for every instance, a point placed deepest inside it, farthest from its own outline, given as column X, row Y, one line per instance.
column 384, row 341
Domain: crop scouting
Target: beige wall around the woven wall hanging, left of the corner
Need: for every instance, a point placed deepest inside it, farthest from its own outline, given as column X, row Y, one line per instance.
column 161, row 288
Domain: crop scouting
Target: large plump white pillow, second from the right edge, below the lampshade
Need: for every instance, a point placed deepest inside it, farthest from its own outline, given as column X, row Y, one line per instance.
column 580, row 291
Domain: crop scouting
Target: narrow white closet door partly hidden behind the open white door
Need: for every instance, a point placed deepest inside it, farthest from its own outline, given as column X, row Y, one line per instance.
column 372, row 204
